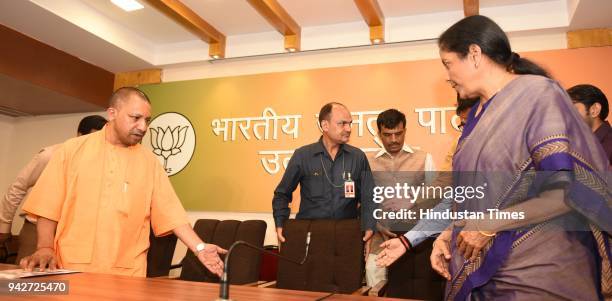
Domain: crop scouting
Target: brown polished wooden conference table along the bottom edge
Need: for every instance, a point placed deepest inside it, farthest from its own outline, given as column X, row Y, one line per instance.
column 92, row 286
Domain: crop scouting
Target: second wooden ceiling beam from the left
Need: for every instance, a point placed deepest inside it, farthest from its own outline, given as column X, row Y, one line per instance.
column 278, row 17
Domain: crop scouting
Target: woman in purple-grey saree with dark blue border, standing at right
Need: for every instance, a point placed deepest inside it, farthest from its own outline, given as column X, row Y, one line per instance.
column 538, row 159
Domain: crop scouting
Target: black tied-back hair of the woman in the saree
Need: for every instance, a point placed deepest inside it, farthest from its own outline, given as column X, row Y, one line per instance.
column 491, row 39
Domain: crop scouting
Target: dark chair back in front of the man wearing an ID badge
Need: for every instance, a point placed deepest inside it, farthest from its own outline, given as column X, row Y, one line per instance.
column 335, row 258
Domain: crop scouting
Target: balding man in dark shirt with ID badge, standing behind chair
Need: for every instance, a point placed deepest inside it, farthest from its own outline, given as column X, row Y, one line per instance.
column 333, row 176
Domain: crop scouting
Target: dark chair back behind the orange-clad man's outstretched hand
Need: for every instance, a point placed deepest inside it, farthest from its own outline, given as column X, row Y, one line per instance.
column 245, row 262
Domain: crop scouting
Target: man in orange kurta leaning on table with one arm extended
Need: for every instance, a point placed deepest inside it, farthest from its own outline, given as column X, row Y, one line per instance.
column 100, row 195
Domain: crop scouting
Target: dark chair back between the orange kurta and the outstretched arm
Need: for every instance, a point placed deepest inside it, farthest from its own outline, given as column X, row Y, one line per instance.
column 159, row 256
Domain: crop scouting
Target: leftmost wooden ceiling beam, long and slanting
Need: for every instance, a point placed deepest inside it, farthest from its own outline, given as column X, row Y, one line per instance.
column 182, row 14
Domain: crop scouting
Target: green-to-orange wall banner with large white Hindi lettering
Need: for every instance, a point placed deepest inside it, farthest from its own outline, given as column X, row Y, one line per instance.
column 236, row 167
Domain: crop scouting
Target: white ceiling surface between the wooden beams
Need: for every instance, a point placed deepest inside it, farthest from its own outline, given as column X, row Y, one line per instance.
column 100, row 33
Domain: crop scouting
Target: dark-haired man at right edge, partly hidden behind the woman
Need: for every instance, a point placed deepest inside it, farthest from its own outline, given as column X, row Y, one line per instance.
column 592, row 105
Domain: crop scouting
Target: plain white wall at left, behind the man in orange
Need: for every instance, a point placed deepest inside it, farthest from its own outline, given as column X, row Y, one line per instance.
column 23, row 137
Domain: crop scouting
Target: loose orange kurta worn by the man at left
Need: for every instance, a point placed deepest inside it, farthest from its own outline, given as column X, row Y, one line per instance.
column 105, row 199
